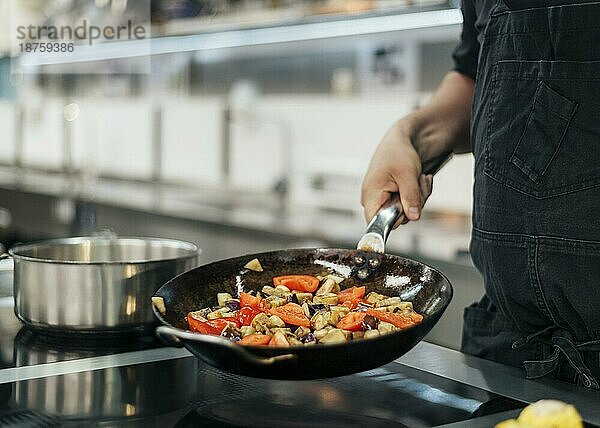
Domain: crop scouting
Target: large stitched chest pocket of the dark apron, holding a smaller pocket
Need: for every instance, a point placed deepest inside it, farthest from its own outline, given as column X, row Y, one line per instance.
column 542, row 133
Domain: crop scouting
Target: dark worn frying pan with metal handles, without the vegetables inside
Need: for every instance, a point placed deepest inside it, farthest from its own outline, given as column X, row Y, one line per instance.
column 428, row 289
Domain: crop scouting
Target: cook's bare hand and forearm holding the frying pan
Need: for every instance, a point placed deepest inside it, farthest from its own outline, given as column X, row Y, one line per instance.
column 441, row 126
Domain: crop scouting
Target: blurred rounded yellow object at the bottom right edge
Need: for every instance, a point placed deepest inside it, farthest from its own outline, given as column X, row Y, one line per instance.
column 546, row 414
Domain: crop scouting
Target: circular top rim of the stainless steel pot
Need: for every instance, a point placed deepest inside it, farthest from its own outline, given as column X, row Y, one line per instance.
column 193, row 249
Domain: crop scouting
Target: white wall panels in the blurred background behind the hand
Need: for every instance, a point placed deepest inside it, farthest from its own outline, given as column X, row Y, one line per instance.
column 332, row 135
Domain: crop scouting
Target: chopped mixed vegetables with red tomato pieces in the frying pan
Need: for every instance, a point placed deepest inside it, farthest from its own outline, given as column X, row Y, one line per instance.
column 302, row 310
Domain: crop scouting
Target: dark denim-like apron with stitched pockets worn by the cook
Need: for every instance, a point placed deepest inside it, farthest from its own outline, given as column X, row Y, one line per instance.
column 536, row 227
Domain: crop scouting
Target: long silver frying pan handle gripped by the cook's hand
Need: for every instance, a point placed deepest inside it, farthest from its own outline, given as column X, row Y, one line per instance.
column 381, row 225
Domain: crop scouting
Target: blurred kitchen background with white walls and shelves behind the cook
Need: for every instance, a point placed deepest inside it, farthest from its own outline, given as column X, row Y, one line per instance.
column 246, row 126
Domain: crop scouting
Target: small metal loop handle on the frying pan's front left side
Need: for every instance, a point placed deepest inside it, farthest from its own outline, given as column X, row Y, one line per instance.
column 177, row 337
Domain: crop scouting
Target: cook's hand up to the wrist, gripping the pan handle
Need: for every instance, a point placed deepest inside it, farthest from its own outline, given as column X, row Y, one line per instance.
column 396, row 168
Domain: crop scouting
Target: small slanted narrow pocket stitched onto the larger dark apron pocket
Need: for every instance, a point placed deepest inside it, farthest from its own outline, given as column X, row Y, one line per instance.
column 545, row 129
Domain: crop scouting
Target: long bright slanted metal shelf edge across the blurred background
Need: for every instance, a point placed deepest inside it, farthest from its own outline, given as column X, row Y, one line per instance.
column 292, row 33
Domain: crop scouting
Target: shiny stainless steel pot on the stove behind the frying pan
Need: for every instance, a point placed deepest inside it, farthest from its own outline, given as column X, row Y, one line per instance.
column 95, row 284
